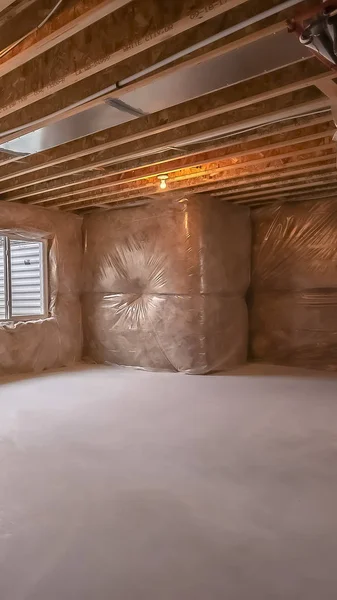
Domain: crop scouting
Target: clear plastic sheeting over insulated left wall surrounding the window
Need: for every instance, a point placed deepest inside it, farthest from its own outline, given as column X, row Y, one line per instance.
column 55, row 341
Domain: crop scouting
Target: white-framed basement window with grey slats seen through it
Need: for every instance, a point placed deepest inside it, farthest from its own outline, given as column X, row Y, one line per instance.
column 23, row 278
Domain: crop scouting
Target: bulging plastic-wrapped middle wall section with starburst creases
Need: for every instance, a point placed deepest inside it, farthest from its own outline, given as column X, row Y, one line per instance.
column 165, row 284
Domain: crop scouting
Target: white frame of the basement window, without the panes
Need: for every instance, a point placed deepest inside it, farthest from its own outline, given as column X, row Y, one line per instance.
column 7, row 277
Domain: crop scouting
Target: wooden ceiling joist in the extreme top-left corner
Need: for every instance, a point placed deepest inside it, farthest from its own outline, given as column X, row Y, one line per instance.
column 67, row 21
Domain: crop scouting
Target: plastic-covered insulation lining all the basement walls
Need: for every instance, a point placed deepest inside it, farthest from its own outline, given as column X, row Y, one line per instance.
column 164, row 286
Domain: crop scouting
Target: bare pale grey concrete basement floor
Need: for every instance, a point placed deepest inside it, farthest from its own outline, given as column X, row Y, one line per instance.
column 123, row 485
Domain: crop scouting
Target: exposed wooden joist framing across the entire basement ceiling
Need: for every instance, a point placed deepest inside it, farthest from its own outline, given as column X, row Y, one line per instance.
column 259, row 140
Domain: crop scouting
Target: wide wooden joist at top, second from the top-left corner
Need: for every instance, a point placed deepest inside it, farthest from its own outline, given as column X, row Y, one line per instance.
column 119, row 36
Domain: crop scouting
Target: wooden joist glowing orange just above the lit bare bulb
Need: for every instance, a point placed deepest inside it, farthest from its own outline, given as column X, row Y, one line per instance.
column 319, row 133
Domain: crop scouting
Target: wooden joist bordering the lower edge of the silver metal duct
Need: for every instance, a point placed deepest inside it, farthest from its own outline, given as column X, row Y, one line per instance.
column 256, row 89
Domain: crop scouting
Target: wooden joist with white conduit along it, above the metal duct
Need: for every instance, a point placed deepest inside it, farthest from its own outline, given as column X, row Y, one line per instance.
column 70, row 101
